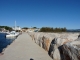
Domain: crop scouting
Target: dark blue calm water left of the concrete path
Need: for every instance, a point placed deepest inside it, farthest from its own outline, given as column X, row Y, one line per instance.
column 4, row 42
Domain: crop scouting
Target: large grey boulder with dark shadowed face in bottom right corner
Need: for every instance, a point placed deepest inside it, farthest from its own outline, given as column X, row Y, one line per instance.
column 71, row 50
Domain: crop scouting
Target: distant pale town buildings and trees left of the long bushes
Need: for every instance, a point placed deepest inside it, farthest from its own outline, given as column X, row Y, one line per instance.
column 17, row 29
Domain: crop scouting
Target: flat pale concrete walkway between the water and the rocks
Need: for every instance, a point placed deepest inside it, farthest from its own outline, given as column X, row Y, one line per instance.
column 23, row 48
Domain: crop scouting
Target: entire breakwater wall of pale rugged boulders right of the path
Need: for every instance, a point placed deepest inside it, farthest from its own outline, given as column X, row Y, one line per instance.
column 60, row 46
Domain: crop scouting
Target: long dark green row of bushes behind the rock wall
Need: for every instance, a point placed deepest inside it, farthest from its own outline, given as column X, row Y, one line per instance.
column 48, row 29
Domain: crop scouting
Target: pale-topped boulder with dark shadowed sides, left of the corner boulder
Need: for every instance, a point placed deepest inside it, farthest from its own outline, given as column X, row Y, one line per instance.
column 55, row 49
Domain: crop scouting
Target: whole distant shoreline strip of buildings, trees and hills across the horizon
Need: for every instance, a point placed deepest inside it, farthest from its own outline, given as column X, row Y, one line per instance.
column 35, row 29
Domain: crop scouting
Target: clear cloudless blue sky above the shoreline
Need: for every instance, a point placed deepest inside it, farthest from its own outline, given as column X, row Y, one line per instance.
column 40, row 13
